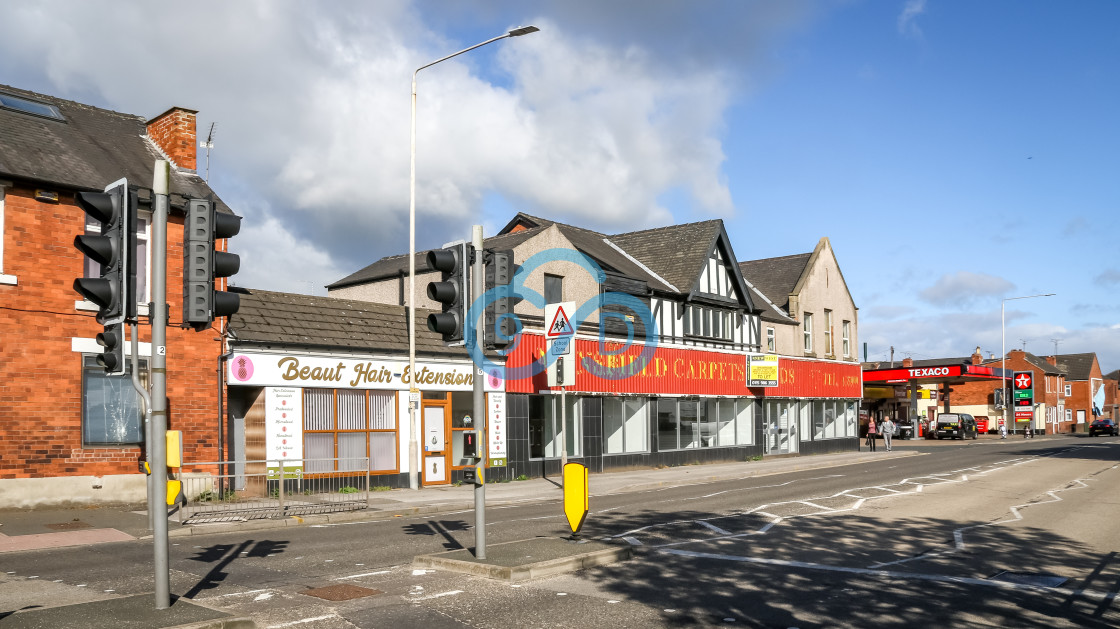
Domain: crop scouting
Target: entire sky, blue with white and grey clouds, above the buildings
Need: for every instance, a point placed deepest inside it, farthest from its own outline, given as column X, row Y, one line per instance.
column 956, row 154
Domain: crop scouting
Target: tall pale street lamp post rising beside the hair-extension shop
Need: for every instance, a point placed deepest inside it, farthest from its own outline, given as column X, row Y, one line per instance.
column 415, row 454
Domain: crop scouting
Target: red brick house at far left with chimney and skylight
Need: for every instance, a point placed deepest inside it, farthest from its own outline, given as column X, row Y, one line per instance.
column 68, row 431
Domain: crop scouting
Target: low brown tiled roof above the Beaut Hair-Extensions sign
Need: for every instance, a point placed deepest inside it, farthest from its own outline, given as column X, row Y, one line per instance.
column 290, row 320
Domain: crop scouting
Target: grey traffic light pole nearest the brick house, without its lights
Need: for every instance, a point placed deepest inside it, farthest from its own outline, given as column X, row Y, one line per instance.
column 158, row 315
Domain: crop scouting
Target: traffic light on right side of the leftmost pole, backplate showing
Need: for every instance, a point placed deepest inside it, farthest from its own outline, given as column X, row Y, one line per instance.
column 203, row 265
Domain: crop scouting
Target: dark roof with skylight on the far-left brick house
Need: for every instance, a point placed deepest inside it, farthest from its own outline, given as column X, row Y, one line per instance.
column 91, row 149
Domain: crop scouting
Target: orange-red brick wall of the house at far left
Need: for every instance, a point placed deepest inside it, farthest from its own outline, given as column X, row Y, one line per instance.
column 41, row 377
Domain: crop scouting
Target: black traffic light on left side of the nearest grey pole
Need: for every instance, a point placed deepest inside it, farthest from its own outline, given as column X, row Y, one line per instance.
column 114, row 292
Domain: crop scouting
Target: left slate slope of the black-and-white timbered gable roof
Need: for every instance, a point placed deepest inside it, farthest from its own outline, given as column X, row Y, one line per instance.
column 678, row 254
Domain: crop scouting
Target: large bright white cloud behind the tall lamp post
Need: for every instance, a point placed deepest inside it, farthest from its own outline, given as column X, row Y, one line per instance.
column 313, row 112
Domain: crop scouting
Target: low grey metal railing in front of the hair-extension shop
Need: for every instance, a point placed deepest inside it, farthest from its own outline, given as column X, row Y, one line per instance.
column 242, row 491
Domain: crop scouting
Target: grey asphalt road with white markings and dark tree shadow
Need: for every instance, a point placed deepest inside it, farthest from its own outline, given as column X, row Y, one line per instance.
column 1000, row 533
